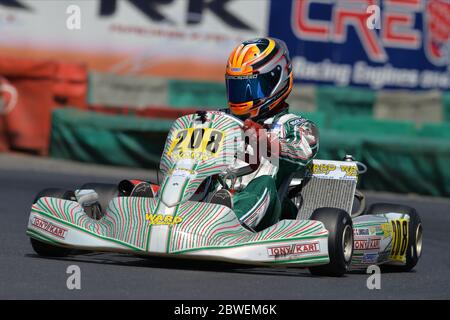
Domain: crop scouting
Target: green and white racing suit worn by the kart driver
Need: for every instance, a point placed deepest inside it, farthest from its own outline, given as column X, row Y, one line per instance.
column 256, row 201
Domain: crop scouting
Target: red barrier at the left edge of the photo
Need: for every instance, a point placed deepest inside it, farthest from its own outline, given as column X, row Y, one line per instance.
column 31, row 91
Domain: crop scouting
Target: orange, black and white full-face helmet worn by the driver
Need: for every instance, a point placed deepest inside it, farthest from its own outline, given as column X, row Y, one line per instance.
column 258, row 78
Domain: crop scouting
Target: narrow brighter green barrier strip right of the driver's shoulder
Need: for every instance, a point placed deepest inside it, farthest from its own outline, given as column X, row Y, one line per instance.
column 370, row 126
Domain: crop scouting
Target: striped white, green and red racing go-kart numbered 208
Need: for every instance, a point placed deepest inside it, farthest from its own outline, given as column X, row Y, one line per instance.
column 177, row 216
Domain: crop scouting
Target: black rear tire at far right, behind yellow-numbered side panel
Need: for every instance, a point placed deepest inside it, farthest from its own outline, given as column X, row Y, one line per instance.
column 414, row 250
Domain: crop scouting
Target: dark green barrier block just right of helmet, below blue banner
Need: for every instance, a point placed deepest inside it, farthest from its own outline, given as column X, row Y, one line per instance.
column 335, row 101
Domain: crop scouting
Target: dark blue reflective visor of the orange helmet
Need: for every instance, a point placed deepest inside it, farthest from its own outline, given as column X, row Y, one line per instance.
column 248, row 88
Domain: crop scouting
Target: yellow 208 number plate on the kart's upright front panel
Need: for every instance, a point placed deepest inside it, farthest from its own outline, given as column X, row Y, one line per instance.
column 196, row 143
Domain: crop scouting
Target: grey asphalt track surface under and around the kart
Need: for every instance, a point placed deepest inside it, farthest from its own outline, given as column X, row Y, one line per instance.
column 24, row 275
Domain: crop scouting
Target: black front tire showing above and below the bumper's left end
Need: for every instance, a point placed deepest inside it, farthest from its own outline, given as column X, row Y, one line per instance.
column 43, row 248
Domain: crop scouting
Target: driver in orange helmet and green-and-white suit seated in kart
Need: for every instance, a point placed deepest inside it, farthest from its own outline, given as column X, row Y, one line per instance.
column 258, row 80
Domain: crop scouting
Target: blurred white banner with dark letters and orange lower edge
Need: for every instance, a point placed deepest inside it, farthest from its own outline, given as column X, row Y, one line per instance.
column 169, row 38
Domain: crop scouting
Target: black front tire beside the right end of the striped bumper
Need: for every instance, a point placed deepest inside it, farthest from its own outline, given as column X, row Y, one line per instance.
column 340, row 241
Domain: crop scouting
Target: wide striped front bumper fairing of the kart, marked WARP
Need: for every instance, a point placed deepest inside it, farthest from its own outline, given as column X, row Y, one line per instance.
column 204, row 227
